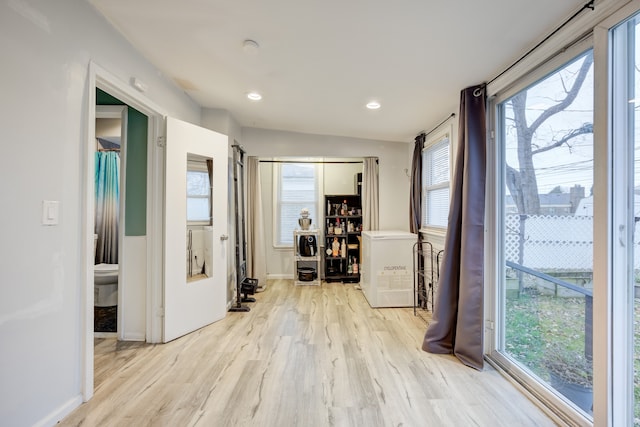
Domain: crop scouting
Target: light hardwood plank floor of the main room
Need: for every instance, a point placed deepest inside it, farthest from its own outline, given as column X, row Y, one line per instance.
column 303, row 356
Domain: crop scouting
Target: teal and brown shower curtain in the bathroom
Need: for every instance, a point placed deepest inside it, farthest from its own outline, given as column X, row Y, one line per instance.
column 107, row 186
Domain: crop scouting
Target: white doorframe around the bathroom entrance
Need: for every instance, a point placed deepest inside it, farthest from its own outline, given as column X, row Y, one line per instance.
column 101, row 78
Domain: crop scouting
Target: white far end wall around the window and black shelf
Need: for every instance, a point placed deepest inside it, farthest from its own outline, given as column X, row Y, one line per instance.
column 394, row 183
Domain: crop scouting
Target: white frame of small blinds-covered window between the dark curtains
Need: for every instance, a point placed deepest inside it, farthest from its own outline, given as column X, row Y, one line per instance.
column 444, row 136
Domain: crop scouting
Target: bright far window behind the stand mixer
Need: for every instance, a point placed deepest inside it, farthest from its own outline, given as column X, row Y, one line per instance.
column 297, row 187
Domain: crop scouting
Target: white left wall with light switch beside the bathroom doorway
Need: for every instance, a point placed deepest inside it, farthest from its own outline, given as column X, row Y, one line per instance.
column 46, row 48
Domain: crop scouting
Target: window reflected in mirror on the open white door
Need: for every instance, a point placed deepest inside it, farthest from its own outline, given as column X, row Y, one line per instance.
column 198, row 193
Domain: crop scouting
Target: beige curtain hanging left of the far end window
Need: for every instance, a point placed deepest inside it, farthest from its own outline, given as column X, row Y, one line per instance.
column 256, row 253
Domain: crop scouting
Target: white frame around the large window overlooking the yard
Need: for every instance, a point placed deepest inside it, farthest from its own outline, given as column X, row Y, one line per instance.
column 611, row 354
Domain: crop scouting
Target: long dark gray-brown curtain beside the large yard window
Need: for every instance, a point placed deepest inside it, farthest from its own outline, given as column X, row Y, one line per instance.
column 457, row 325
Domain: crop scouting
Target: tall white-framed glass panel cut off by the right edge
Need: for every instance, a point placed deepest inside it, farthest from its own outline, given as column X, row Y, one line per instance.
column 626, row 202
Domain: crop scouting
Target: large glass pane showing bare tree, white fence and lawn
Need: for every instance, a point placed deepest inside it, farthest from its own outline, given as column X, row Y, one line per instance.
column 546, row 148
